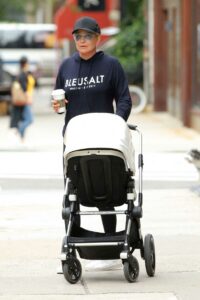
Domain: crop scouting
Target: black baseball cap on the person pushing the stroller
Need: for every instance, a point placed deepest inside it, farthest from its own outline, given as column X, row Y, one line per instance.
column 88, row 24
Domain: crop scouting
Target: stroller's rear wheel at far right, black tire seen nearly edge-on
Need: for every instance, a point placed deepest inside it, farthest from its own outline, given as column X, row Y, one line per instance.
column 149, row 255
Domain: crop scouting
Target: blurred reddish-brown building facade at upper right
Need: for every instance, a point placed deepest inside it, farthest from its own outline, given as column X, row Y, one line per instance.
column 174, row 58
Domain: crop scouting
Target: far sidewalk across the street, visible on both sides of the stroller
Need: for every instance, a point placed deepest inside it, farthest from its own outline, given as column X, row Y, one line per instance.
column 161, row 132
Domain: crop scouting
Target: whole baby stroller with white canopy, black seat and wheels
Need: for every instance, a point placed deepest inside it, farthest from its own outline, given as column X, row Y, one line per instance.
column 99, row 171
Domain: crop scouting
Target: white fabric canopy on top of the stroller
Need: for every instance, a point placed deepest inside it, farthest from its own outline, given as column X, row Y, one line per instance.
column 99, row 131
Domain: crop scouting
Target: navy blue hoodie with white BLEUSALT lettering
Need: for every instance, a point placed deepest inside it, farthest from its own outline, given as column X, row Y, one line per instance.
column 92, row 85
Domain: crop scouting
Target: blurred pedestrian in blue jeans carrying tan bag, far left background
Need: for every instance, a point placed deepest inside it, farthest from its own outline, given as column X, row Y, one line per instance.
column 22, row 90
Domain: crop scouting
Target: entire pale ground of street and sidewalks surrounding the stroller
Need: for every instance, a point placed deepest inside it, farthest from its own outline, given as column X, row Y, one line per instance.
column 31, row 227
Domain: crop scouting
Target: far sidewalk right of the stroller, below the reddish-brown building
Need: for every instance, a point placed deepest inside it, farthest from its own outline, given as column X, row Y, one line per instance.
column 162, row 132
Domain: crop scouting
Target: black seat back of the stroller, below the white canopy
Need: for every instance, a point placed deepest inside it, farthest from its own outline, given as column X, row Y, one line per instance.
column 100, row 179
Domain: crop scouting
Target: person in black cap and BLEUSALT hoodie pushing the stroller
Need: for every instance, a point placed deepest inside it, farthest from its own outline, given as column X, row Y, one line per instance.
column 92, row 81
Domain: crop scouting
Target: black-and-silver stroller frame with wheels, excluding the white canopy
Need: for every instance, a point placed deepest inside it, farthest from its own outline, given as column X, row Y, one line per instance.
column 92, row 245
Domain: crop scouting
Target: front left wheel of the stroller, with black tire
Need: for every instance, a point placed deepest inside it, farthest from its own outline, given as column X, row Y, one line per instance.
column 72, row 270
